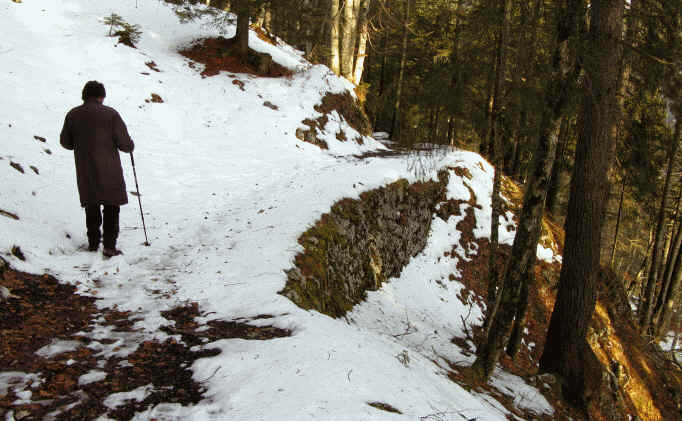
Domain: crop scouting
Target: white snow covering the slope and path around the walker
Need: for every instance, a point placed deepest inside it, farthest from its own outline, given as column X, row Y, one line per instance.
column 227, row 189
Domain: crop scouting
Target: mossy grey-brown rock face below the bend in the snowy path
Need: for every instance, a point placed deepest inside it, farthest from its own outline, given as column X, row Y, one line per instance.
column 361, row 243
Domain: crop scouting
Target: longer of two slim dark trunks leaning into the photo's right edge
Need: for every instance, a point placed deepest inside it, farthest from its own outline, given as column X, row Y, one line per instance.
column 649, row 300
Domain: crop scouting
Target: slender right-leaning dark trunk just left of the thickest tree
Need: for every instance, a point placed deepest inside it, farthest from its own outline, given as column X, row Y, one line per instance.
column 519, row 268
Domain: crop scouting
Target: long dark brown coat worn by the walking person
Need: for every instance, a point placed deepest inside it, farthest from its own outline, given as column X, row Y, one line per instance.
column 96, row 133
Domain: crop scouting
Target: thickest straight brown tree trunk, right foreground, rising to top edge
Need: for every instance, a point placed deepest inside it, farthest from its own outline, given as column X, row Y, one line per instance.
column 566, row 350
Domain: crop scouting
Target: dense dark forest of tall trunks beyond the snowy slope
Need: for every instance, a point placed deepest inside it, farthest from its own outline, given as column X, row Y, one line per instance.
column 577, row 101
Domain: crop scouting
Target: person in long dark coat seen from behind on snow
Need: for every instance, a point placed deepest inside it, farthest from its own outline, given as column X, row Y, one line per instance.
column 96, row 133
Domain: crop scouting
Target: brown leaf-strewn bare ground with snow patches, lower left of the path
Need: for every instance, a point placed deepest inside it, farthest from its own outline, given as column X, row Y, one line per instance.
column 47, row 310
